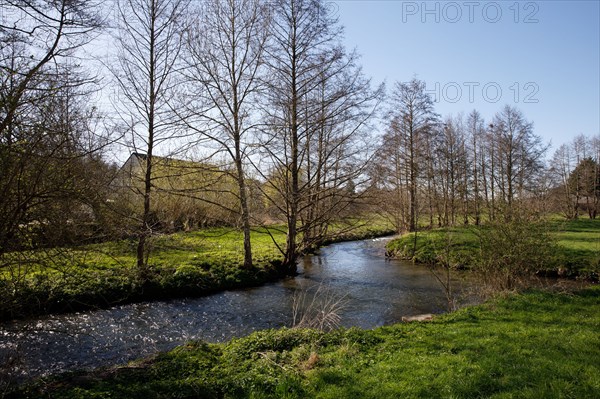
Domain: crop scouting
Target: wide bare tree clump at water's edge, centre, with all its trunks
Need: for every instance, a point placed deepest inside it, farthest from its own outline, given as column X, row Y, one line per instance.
column 318, row 105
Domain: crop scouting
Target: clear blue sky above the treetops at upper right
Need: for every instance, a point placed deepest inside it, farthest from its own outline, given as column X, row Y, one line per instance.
column 540, row 56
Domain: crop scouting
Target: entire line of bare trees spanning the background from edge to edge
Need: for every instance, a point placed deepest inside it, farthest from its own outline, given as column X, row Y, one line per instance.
column 253, row 111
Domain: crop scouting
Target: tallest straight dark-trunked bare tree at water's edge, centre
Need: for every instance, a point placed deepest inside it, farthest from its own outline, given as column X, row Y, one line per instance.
column 304, row 42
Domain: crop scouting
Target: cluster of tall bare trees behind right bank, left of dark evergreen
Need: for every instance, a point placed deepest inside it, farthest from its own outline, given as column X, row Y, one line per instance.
column 455, row 170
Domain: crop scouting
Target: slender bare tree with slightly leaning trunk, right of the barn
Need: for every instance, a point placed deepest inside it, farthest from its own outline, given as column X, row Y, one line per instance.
column 225, row 49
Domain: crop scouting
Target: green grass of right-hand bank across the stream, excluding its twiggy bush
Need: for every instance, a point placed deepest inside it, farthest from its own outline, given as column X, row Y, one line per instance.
column 576, row 249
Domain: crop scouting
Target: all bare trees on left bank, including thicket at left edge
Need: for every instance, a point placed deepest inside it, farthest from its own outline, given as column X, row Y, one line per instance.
column 262, row 92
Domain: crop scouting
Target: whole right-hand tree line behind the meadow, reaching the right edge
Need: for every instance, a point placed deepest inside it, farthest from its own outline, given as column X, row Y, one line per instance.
column 464, row 170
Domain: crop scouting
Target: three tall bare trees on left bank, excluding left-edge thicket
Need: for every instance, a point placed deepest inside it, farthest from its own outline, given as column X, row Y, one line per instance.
column 264, row 90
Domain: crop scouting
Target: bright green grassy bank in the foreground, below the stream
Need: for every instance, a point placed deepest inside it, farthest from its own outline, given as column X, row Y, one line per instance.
column 531, row 345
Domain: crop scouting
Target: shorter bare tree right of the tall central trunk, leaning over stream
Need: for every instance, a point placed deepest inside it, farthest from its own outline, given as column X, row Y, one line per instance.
column 337, row 148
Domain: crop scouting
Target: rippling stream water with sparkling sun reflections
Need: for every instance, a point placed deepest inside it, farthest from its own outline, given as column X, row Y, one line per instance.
column 376, row 292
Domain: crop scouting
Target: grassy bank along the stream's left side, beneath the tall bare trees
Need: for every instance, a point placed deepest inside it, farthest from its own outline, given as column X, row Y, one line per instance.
column 183, row 264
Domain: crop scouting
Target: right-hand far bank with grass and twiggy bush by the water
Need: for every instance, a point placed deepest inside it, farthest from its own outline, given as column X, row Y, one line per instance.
column 506, row 251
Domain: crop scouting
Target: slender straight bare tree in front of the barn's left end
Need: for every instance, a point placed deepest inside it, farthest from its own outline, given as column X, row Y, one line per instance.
column 149, row 44
